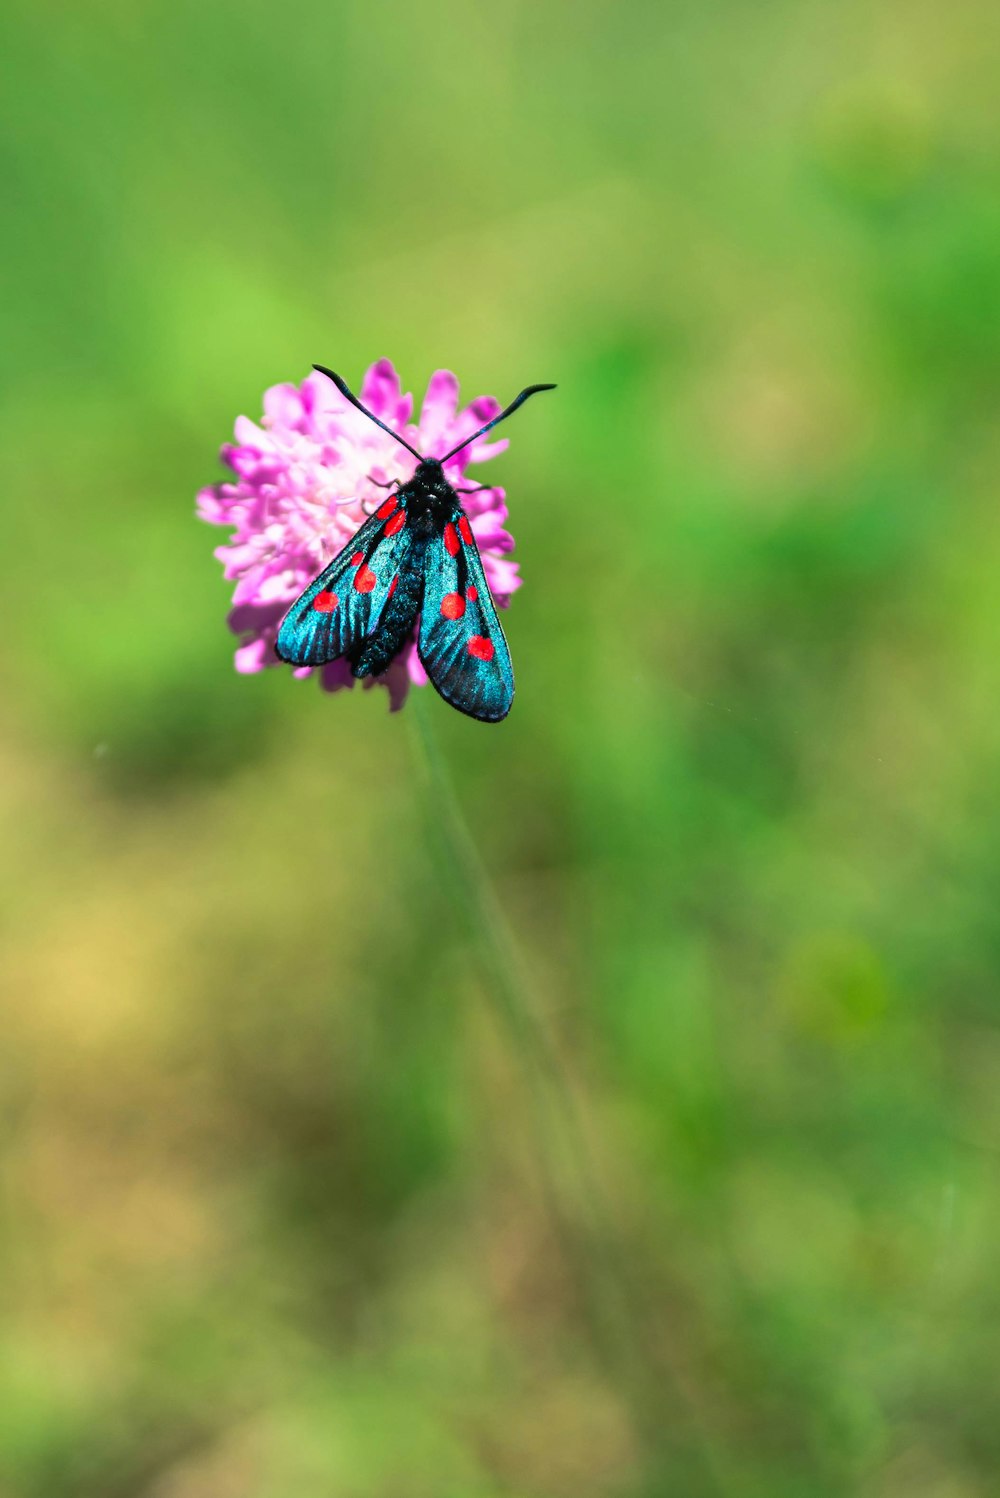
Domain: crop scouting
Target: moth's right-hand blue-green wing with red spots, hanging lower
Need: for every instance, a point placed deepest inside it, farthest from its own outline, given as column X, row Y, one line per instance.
column 462, row 643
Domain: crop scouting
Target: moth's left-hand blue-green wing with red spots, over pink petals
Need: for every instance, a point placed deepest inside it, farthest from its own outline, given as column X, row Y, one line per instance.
column 345, row 603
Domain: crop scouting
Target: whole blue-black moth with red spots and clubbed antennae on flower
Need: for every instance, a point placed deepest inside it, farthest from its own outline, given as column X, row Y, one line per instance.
column 415, row 558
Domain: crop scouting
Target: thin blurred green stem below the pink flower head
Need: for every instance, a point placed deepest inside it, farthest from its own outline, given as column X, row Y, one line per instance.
column 618, row 1311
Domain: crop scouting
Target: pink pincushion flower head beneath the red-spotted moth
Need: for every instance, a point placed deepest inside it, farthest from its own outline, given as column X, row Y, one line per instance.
column 308, row 477
